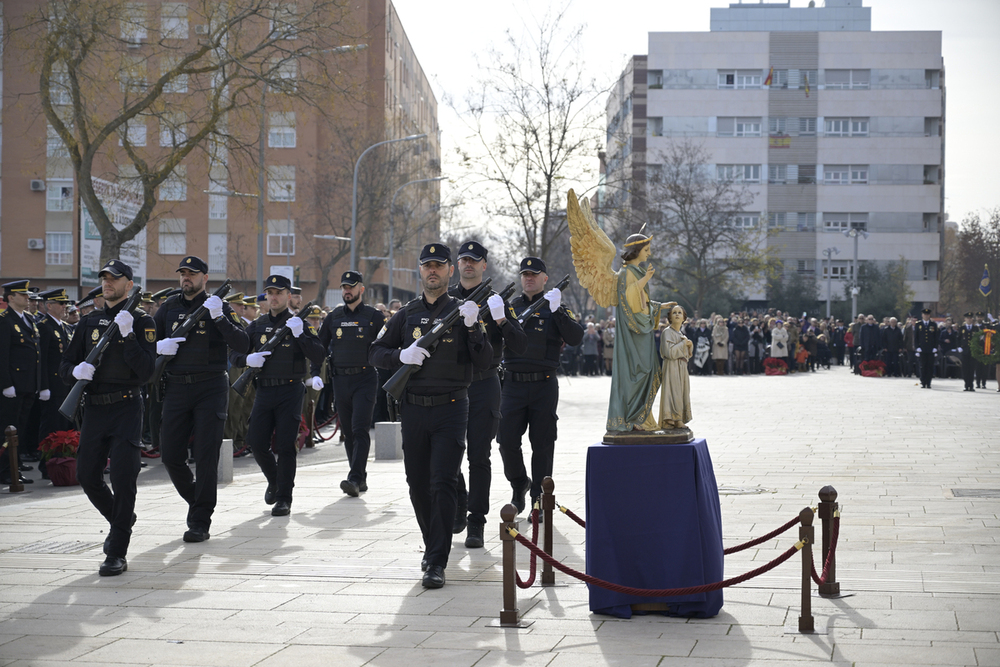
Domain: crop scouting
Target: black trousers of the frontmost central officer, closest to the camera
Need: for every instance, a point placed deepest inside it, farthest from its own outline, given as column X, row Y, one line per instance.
column 433, row 443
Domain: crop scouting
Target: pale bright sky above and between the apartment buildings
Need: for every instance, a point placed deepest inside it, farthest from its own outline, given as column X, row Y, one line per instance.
column 447, row 38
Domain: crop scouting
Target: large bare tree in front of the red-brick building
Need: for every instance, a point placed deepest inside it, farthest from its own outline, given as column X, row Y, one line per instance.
column 108, row 68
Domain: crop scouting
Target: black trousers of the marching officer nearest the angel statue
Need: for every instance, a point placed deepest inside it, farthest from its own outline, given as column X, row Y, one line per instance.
column 529, row 406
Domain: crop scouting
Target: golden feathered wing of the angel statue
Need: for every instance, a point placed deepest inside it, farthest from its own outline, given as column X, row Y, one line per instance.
column 593, row 253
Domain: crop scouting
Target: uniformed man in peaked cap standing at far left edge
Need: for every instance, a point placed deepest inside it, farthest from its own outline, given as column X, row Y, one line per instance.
column 20, row 373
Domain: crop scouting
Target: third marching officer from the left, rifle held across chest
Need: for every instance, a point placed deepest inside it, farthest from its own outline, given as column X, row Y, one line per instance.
column 277, row 407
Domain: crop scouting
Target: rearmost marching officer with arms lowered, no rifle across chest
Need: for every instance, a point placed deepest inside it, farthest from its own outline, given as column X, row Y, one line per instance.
column 346, row 335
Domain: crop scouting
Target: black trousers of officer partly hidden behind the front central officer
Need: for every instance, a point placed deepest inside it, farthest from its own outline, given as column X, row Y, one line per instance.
column 484, row 420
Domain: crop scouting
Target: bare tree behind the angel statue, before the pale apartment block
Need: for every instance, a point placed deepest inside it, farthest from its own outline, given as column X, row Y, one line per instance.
column 700, row 224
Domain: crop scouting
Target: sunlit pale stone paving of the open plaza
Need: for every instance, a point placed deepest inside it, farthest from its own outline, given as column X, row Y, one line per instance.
column 338, row 581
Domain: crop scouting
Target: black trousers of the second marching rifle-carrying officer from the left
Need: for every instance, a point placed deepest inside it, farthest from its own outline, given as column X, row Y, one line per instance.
column 194, row 415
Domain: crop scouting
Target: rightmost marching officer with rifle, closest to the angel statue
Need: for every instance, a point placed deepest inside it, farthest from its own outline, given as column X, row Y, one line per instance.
column 531, row 390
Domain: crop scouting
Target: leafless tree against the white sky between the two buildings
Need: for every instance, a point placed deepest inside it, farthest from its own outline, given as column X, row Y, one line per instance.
column 535, row 128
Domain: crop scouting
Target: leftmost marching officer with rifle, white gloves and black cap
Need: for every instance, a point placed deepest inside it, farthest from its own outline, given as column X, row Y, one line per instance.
column 112, row 416
